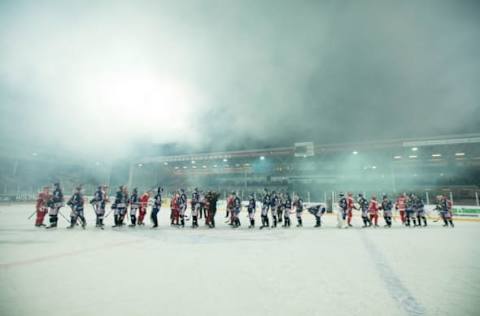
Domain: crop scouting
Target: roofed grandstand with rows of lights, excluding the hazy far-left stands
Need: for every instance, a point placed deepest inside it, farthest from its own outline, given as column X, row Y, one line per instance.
column 315, row 171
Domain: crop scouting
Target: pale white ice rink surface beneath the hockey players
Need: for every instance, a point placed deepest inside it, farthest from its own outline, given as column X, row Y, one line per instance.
column 296, row 271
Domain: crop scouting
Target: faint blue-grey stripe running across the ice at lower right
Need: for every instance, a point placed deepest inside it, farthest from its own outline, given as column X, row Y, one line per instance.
column 394, row 285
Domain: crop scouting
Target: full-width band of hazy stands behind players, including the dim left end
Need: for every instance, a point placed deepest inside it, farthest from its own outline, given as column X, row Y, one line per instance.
column 429, row 166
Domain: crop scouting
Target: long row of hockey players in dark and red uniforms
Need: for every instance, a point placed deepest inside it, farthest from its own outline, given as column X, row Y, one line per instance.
column 280, row 206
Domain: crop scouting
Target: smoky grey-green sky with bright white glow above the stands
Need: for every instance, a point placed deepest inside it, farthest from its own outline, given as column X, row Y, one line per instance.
column 90, row 77
